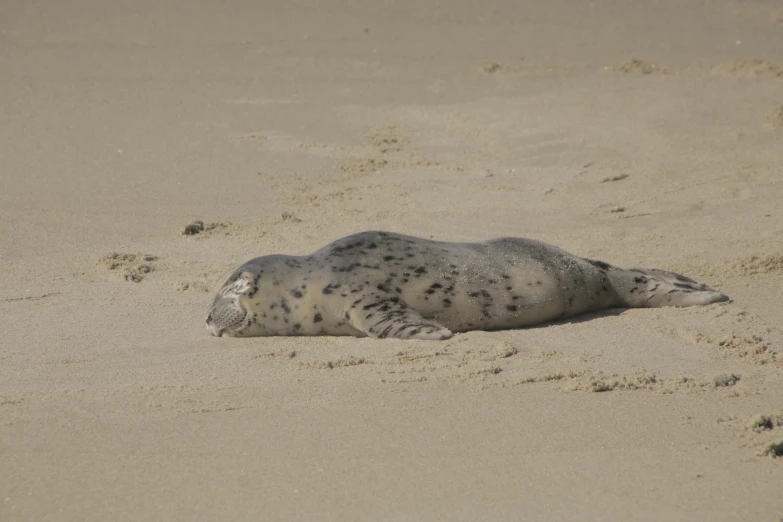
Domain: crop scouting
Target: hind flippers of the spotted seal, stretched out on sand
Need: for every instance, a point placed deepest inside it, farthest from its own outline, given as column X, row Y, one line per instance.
column 653, row 288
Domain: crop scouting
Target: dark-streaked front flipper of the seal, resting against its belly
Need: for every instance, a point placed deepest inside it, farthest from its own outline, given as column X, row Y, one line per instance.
column 383, row 315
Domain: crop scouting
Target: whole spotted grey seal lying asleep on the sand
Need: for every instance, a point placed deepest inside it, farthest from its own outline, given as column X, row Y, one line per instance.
column 382, row 284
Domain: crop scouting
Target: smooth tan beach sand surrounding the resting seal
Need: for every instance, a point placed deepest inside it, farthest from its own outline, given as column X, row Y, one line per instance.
column 640, row 133
